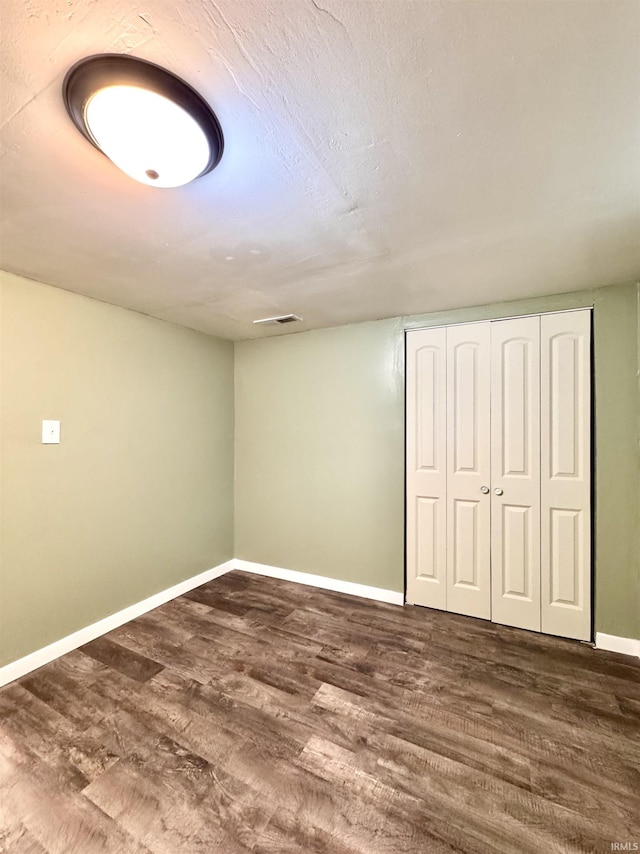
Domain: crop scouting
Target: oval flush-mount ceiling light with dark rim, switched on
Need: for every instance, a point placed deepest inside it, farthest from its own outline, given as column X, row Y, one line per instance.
column 151, row 124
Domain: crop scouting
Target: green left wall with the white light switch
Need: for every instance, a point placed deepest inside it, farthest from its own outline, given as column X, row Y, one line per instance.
column 139, row 494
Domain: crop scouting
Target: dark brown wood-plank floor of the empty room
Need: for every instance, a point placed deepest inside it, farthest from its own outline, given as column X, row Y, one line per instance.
column 257, row 715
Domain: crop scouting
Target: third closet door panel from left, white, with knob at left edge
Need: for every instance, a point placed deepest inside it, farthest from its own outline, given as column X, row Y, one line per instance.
column 515, row 472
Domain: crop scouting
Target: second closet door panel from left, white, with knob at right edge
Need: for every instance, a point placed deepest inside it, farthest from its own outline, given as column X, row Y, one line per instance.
column 468, row 470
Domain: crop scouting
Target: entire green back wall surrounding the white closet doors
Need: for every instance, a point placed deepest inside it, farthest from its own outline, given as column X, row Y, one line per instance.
column 320, row 449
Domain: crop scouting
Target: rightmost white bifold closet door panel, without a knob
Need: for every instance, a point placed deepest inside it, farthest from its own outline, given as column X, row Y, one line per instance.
column 566, row 474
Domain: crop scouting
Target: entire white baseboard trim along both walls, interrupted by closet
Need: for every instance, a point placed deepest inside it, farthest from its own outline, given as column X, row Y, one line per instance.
column 27, row 664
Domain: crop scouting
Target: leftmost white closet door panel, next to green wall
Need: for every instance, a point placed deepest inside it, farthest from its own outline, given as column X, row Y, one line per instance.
column 426, row 468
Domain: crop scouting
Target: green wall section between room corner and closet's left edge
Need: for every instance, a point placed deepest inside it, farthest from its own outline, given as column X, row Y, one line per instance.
column 319, row 452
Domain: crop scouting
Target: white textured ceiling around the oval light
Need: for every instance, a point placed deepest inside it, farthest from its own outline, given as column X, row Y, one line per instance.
column 382, row 157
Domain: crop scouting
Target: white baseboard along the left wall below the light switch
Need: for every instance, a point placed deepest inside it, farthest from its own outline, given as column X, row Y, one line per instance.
column 54, row 650
